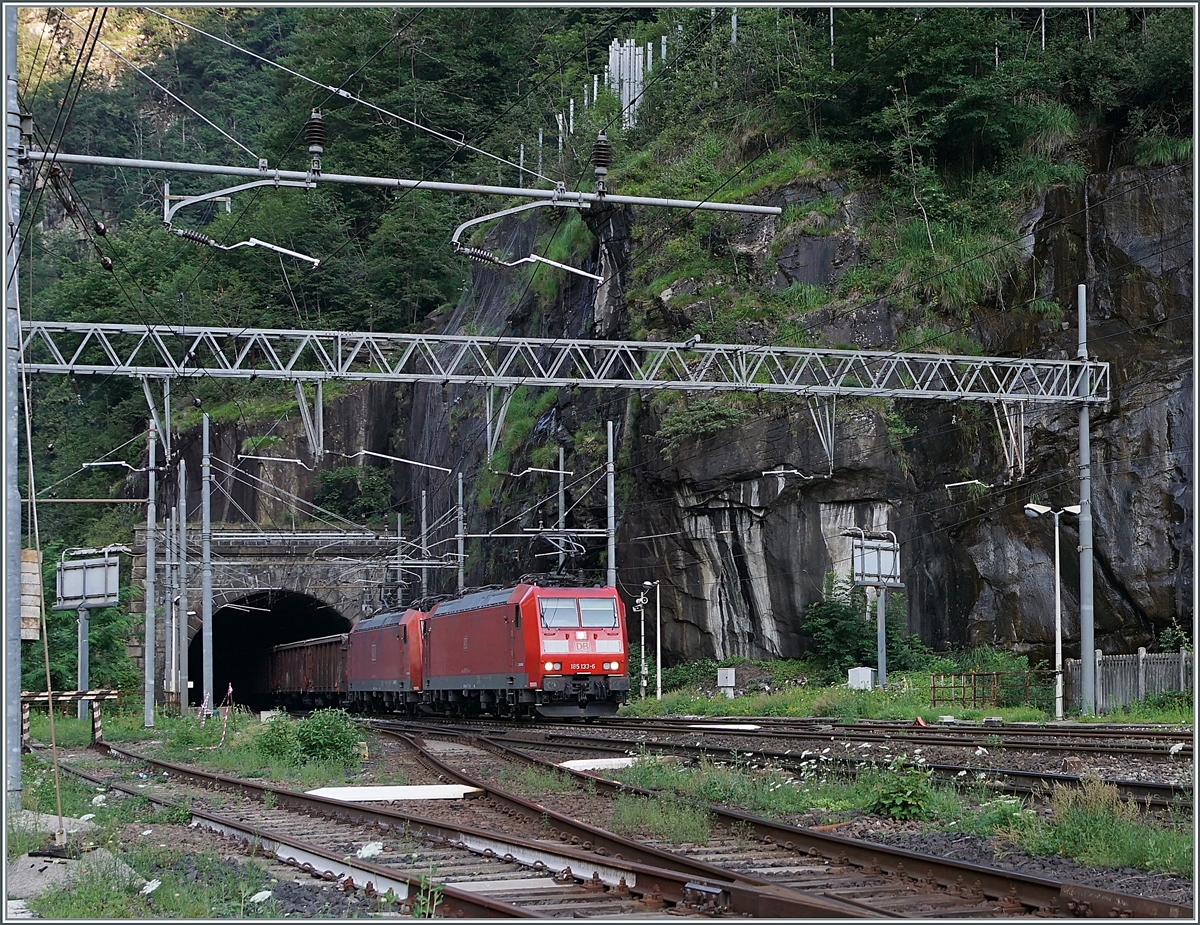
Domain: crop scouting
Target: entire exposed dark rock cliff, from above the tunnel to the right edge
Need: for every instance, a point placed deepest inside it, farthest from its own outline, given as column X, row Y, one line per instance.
column 742, row 554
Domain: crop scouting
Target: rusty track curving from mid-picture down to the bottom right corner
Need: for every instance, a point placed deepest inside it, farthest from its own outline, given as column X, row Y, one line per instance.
column 875, row 878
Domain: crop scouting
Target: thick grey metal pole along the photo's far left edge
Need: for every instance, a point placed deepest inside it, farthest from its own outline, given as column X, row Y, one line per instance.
column 13, row 494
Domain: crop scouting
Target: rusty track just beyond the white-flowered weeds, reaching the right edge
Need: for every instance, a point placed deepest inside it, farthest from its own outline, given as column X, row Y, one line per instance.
column 1007, row 780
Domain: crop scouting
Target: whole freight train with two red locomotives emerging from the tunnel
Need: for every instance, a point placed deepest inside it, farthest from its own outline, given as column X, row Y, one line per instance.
column 515, row 652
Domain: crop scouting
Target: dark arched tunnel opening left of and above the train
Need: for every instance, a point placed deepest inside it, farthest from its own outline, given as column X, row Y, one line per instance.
column 243, row 635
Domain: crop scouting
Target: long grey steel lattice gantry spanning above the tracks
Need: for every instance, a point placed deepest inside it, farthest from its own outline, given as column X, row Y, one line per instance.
column 164, row 352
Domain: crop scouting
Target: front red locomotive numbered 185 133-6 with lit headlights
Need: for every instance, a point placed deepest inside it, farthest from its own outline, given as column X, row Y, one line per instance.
column 560, row 652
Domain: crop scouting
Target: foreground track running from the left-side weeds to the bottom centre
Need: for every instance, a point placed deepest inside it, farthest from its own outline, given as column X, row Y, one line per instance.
column 482, row 874
